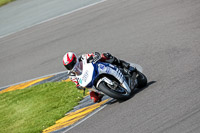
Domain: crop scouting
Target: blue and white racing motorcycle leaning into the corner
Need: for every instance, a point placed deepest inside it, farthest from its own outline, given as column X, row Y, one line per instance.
column 109, row 79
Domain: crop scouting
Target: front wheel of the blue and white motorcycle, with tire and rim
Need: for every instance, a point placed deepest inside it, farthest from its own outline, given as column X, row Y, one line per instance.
column 118, row 93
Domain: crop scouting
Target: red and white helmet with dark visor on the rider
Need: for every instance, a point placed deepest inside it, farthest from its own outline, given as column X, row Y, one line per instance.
column 70, row 60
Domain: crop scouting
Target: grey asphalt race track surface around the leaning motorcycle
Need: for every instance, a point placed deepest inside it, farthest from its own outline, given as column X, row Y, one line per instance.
column 163, row 36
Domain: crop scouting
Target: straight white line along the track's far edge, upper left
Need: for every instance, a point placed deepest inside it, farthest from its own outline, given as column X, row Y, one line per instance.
column 67, row 13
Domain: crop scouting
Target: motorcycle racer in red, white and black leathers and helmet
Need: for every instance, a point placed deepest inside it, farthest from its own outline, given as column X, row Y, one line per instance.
column 70, row 60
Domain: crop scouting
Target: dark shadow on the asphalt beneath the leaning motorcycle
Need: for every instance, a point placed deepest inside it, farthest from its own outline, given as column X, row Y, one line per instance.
column 134, row 93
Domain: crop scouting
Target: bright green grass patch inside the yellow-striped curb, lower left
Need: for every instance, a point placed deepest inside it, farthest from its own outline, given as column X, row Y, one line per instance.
column 35, row 108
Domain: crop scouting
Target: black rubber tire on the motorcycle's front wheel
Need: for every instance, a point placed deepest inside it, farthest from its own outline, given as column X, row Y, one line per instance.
column 112, row 93
